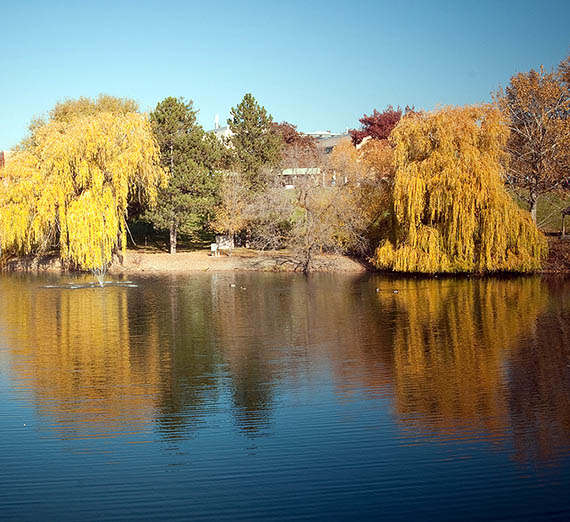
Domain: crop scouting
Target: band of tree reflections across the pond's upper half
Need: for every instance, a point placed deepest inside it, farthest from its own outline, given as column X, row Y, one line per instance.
column 453, row 358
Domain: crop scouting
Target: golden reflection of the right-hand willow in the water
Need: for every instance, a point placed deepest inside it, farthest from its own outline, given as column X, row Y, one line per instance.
column 451, row 344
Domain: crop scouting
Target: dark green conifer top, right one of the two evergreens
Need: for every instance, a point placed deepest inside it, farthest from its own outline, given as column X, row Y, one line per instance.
column 256, row 147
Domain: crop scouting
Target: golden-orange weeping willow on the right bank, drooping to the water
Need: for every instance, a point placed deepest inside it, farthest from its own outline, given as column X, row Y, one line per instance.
column 452, row 211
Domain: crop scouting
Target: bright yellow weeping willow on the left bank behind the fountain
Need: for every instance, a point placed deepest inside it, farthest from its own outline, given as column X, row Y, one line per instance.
column 70, row 186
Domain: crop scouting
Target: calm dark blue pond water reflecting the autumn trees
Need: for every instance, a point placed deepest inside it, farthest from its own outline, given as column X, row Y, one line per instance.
column 279, row 397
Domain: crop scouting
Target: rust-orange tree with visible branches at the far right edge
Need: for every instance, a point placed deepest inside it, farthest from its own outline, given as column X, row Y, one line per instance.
column 536, row 106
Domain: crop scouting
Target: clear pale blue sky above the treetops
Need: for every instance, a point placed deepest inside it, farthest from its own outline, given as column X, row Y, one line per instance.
column 319, row 65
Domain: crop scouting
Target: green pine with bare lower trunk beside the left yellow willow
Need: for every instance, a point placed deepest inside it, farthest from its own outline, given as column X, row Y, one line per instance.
column 183, row 206
